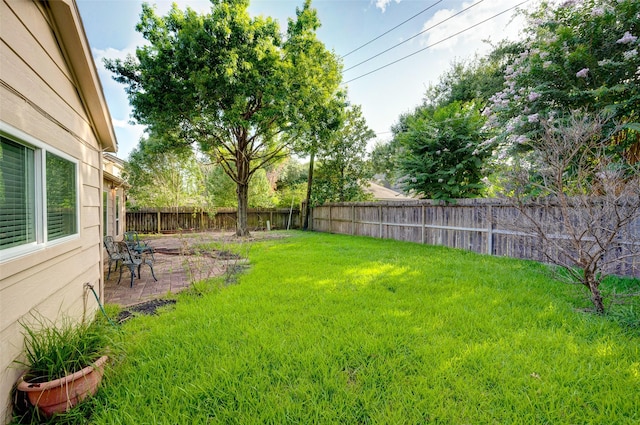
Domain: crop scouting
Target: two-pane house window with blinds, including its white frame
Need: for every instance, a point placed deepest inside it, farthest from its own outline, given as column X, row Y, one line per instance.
column 38, row 194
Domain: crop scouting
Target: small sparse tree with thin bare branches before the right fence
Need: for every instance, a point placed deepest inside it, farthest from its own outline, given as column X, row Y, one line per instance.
column 578, row 198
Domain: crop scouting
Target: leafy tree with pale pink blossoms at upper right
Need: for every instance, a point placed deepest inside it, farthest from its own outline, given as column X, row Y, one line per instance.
column 579, row 54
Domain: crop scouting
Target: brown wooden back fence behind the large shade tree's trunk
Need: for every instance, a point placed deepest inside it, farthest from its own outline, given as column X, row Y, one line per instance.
column 190, row 219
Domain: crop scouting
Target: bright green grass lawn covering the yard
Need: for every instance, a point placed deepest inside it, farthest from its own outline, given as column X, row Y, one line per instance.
column 336, row 329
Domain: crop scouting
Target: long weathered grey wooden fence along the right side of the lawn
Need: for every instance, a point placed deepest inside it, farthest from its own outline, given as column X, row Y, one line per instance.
column 485, row 226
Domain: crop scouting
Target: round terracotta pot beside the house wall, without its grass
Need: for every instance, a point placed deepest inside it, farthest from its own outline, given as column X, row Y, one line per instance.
column 62, row 394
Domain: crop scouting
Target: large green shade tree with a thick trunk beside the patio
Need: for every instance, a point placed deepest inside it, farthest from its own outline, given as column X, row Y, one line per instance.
column 229, row 82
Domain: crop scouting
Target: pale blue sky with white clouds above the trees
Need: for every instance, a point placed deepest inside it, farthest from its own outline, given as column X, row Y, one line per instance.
column 384, row 94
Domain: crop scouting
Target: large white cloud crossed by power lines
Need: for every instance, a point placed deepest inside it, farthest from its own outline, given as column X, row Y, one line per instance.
column 505, row 26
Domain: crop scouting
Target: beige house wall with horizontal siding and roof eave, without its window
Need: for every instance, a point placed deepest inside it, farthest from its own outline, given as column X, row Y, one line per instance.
column 50, row 94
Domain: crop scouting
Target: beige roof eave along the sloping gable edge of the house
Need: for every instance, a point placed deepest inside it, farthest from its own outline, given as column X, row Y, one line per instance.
column 73, row 40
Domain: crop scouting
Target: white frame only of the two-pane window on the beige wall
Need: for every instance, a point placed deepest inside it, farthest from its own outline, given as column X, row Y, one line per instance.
column 40, row 223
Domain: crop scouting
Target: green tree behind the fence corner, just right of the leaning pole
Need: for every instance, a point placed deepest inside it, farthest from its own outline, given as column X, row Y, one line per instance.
column 344, row 169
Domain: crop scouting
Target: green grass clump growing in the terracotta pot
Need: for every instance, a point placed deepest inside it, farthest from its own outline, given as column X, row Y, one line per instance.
column 53, row 350
